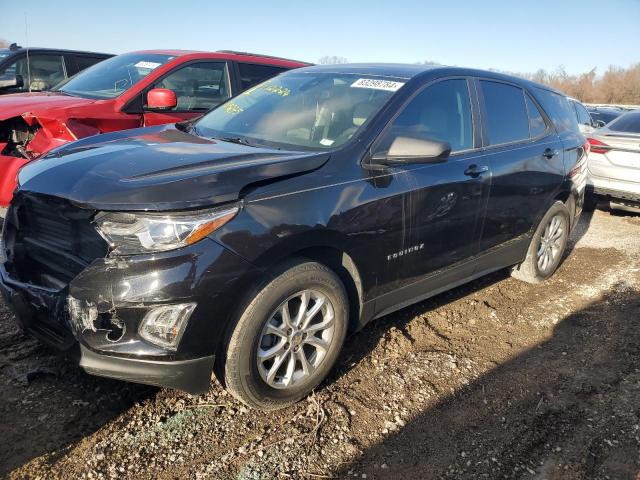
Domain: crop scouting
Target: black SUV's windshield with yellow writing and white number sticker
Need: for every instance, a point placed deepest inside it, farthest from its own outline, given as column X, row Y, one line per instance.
column 308, row 110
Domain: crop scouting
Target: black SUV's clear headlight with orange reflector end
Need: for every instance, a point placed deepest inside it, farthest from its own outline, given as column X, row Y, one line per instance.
column 131, row 233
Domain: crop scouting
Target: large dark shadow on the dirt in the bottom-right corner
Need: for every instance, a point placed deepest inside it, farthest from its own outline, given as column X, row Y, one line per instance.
column 564, row 409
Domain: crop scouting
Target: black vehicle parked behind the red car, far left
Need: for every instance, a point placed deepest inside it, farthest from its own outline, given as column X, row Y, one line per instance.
column 46, row 68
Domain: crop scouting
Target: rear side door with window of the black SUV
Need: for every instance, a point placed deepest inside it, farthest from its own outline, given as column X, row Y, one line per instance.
column 526, row 159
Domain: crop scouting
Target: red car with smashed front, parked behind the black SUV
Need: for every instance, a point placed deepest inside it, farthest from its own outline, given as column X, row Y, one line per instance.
column 127, row 91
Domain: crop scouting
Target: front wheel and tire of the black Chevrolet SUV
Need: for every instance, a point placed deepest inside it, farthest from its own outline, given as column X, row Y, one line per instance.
column 288, row 337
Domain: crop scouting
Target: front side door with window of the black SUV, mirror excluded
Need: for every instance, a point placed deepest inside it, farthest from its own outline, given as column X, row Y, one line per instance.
column 445, row 201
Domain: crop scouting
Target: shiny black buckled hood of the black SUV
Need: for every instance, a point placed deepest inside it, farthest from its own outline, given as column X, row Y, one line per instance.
column 158, row 168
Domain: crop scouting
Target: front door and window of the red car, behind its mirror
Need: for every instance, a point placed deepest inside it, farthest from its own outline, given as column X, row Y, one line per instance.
column 199, row 86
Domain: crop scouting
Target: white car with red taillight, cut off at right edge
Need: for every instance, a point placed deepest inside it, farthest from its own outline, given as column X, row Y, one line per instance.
column 614, row 163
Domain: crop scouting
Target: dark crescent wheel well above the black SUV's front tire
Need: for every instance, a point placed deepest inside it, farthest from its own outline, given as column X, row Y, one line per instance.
column 344, row 266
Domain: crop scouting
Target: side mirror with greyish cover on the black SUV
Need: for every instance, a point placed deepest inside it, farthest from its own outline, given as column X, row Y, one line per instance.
column 410, row 150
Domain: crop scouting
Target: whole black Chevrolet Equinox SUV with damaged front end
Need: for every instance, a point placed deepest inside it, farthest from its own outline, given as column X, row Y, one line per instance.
column 309, row 205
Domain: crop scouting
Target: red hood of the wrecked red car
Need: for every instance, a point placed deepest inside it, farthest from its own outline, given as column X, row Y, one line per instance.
column 17, row 104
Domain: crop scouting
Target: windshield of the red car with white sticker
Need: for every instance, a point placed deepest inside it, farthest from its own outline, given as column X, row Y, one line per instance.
column 112, row 77
